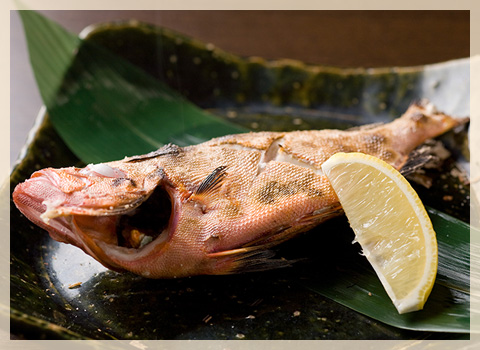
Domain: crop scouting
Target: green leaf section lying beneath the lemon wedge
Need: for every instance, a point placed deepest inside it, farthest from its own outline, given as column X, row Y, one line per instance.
column 448, row 306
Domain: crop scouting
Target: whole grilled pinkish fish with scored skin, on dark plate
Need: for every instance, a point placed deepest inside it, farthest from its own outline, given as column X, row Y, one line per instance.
column 213, row 208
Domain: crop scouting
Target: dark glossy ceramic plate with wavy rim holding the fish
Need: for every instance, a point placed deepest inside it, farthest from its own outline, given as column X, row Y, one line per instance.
column 57, row 292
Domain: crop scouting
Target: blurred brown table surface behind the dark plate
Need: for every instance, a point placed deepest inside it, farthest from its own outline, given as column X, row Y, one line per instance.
column 333, row 38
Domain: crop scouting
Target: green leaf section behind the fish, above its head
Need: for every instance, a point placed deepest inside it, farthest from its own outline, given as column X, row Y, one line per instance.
column 104, row 107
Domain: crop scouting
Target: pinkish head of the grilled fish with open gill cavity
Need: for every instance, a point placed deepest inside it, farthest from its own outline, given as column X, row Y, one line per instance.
column 122, row 213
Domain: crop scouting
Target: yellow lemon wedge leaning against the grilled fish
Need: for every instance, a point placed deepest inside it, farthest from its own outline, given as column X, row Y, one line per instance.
column 390, row 223
